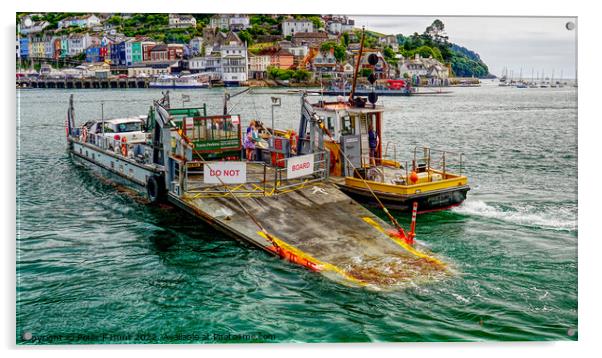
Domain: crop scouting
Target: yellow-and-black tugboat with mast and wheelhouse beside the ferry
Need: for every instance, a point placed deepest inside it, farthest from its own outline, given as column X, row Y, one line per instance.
column 352, row 131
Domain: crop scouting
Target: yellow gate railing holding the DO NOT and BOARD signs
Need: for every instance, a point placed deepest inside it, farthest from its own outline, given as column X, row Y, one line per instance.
column 262, row 179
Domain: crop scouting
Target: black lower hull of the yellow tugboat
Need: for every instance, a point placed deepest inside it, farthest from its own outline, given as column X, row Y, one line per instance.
column 430, row 201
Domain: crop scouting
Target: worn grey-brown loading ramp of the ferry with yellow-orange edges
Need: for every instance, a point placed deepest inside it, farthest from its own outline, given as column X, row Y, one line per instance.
column 318, row 226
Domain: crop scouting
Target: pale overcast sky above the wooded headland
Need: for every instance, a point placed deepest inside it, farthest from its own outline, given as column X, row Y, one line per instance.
column 533, row 44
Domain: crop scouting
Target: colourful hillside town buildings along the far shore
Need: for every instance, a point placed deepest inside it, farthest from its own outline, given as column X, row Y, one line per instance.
column 298, row 49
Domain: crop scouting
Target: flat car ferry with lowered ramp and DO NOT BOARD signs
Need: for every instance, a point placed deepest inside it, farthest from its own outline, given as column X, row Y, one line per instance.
column 288, row 208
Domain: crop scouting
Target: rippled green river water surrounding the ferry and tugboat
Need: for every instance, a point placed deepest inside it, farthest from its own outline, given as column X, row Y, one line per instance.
column 95, row 265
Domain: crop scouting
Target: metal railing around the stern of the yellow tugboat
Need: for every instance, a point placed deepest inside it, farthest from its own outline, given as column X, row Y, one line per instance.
column 438, row 160
